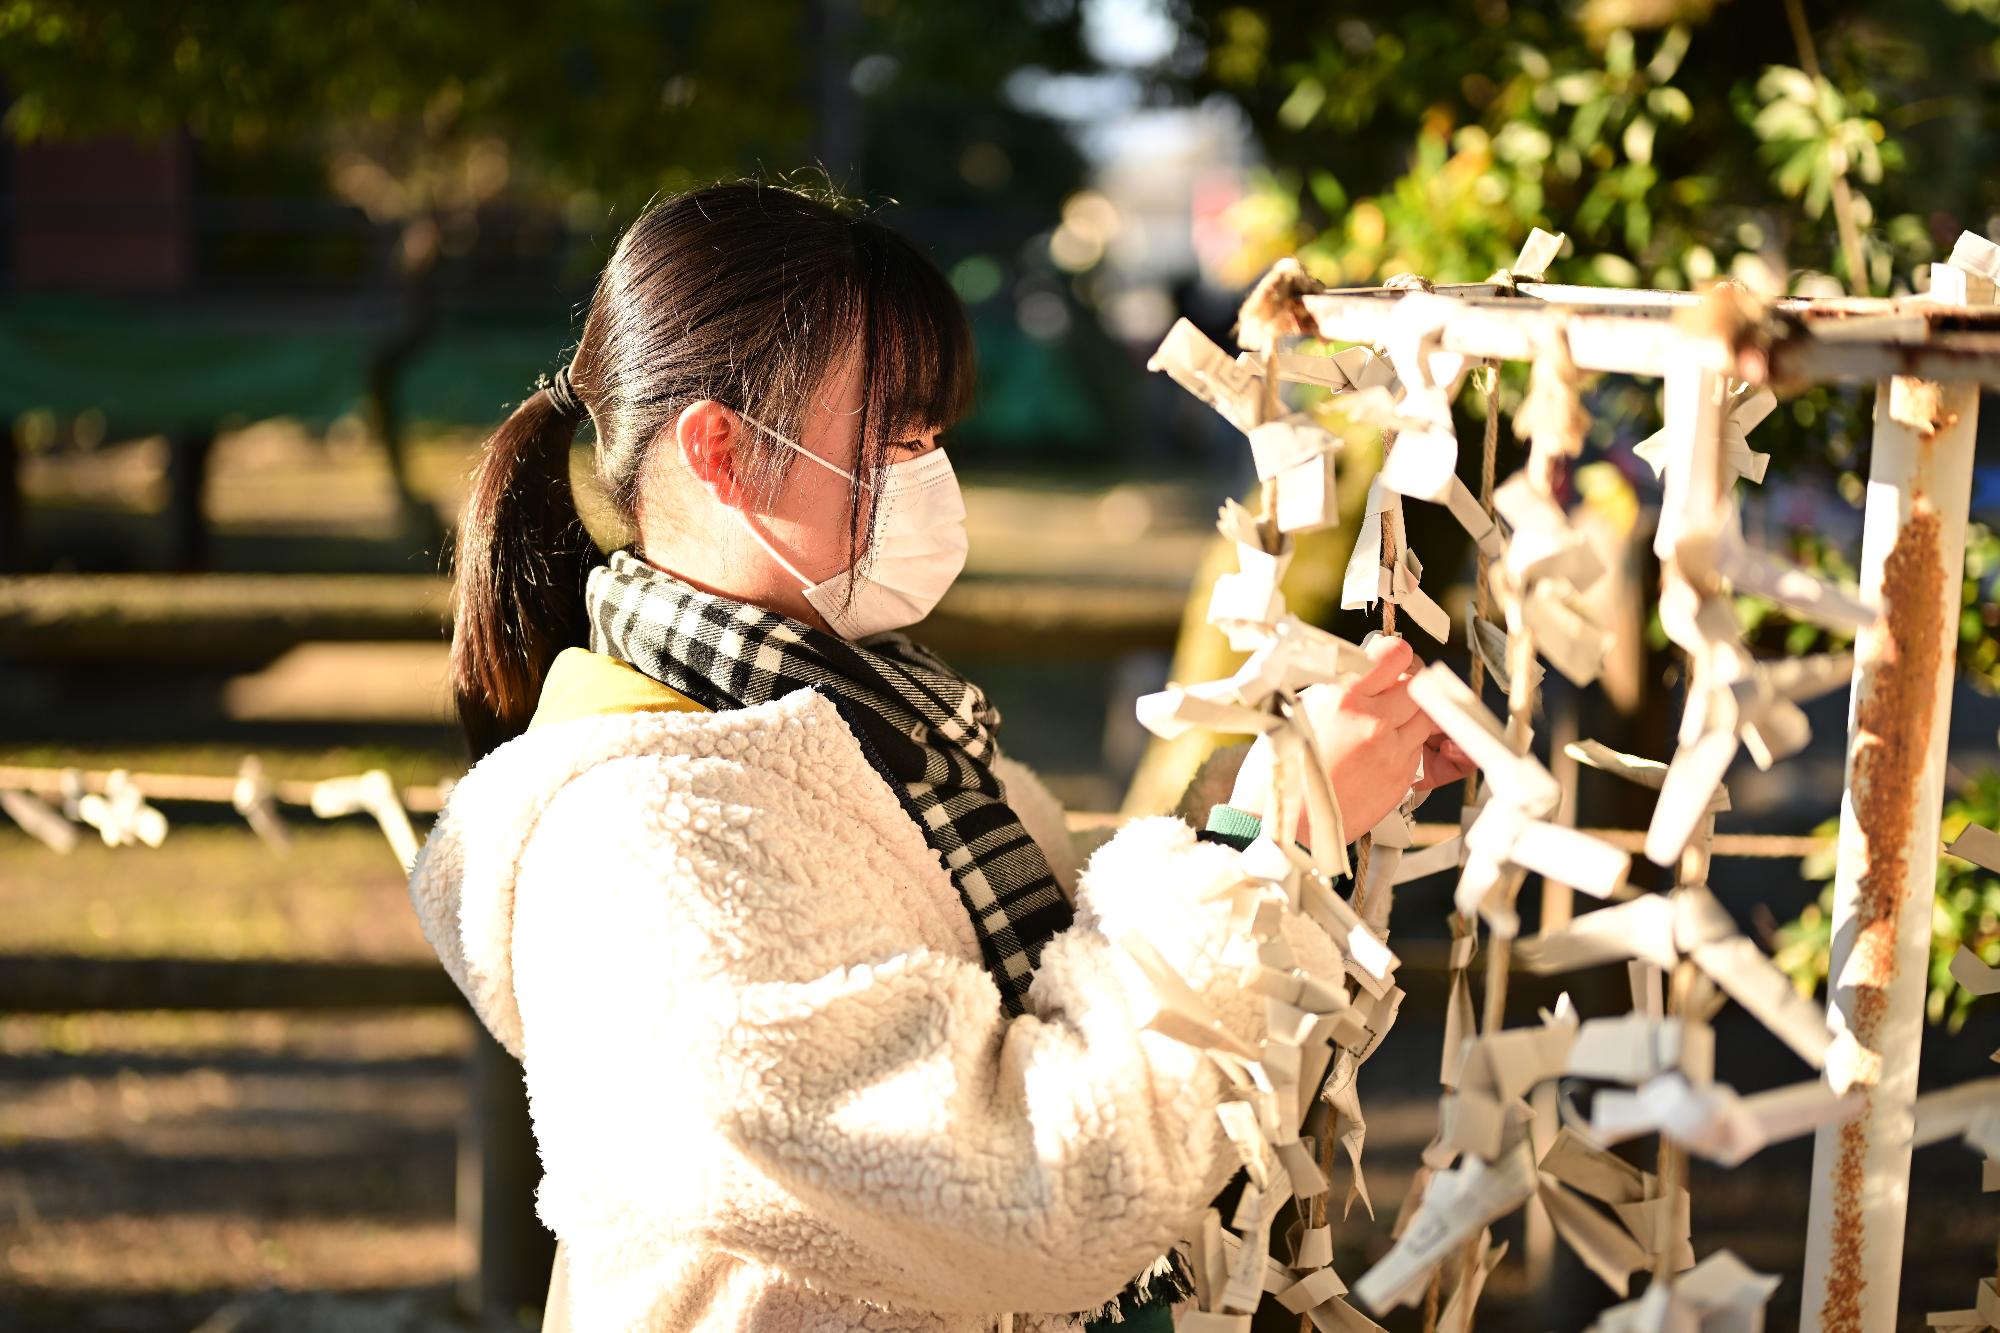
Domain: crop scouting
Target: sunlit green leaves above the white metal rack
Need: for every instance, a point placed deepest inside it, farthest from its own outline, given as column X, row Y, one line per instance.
column 1673, row 141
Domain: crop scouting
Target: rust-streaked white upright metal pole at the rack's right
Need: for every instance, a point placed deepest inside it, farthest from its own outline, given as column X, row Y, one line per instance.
column 1899, row 720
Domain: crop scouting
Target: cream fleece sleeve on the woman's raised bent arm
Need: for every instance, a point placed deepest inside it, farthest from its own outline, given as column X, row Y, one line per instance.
column 777, row 1072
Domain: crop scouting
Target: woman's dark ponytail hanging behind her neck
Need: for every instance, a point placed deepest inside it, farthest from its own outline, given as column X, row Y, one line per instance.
column 519, row 569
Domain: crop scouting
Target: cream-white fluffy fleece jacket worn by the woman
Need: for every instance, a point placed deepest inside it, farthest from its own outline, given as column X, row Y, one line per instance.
column 773, row 1084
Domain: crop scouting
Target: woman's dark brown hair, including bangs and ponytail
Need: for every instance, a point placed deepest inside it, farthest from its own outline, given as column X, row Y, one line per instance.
column 741, row 293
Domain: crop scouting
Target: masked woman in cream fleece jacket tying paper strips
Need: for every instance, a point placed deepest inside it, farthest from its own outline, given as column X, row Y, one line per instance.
column 823, row 1028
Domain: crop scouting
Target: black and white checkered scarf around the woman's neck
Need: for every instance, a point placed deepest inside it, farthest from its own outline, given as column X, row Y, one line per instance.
column 927, row 732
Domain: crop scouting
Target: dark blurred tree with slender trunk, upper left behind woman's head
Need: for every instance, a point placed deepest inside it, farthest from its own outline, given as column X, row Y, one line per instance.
column 437, row 117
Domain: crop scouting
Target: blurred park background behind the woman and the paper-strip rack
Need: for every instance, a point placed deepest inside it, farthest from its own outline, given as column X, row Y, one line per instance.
column 271, row 273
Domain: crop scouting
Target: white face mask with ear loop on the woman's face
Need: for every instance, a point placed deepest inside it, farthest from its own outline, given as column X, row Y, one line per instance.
column 917, row 551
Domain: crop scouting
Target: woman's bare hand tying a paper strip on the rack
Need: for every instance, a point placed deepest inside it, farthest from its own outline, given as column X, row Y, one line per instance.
column 1371, row 736
